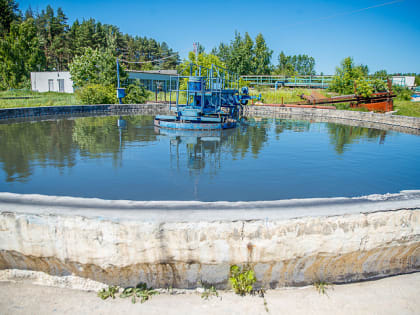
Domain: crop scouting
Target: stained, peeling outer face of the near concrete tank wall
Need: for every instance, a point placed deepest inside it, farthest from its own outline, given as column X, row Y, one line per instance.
column 180, row 253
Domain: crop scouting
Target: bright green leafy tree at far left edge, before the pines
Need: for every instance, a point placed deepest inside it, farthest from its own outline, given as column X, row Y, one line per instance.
column 19, row 55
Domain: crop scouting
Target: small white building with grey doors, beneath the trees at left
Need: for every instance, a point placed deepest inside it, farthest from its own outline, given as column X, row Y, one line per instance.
column 53, row 81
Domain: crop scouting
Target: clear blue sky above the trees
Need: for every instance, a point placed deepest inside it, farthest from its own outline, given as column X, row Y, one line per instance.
column 381, row 36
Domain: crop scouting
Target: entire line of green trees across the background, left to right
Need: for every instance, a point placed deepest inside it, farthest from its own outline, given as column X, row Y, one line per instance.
column 45, row 41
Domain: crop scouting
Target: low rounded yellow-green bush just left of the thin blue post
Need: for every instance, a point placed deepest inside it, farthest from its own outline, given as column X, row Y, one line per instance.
column 97, row 94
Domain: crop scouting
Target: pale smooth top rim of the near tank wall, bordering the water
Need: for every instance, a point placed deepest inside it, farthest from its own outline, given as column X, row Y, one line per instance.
column 197, row 211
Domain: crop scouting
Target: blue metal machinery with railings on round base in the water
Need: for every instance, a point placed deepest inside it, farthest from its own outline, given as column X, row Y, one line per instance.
column 213, row 100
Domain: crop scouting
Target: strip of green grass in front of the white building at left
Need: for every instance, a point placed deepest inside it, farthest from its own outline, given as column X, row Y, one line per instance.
column 36, row 99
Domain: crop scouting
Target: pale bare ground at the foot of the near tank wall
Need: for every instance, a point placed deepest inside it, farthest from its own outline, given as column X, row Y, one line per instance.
column 394, row 295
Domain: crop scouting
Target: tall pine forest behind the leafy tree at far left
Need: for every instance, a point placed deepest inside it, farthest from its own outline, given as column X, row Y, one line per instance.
column 60, row 42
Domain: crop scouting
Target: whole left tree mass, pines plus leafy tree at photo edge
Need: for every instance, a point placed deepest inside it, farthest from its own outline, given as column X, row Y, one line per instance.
column 44, row 41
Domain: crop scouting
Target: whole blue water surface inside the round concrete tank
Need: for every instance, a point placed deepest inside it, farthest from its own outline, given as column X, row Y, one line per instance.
column 264, row 159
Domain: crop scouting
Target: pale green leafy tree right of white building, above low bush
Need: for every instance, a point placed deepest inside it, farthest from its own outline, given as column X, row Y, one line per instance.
column 95, row 66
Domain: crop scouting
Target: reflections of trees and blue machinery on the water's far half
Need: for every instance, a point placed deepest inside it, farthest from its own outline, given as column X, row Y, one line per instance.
column 25, row 146
